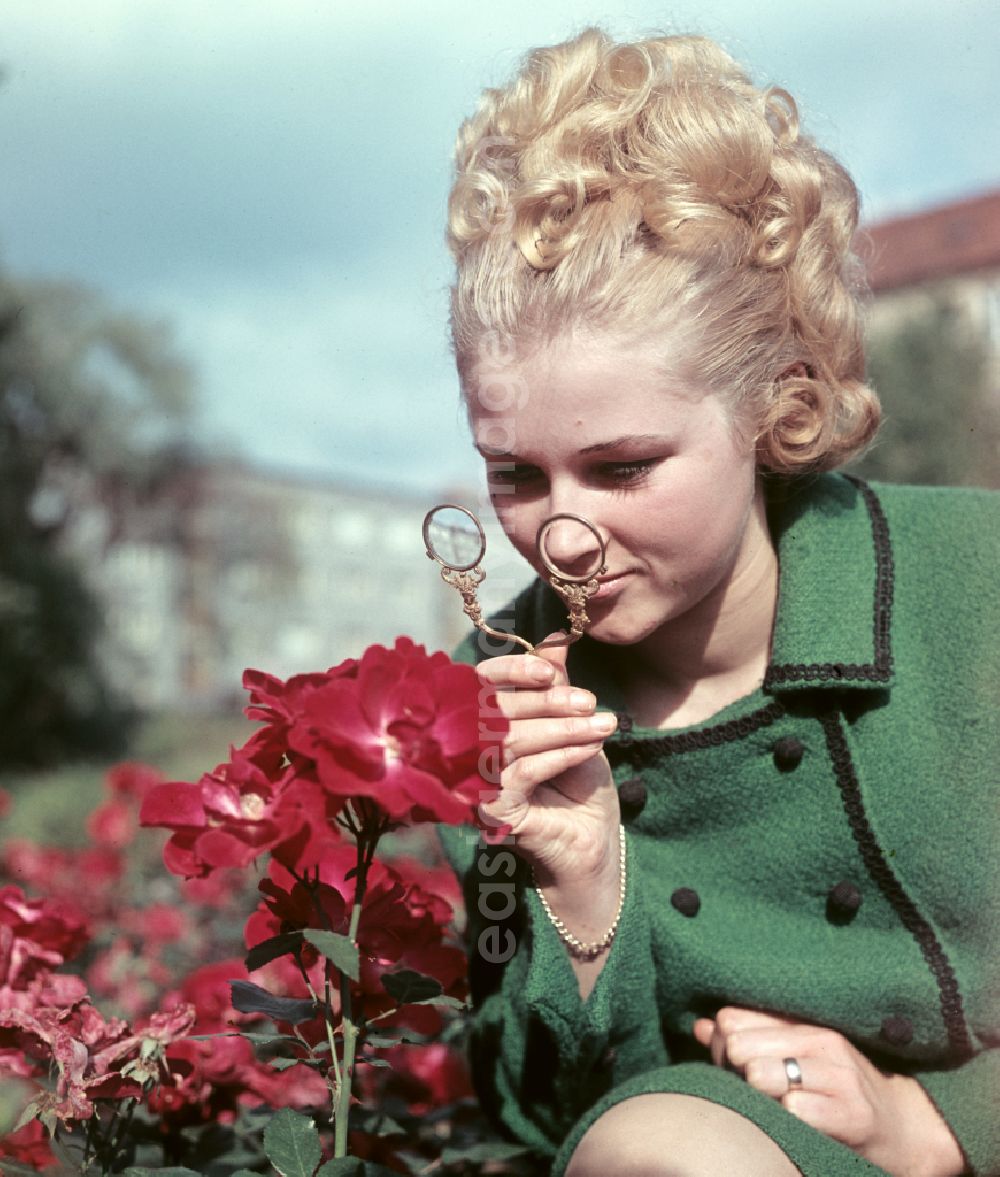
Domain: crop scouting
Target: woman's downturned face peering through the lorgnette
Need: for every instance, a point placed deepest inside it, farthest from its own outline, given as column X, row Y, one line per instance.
column 592, row 425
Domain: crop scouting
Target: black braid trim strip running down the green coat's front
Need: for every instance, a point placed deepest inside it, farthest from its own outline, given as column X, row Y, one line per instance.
column 952, row 1010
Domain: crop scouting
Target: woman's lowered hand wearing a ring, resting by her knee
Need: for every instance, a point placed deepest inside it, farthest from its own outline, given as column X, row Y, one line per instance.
column 886, row 1119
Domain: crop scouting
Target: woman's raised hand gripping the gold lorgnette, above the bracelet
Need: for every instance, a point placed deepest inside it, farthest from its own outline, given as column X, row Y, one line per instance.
column 557, row 792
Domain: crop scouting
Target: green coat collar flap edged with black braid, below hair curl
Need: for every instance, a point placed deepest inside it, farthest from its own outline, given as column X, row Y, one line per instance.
column 836, row 589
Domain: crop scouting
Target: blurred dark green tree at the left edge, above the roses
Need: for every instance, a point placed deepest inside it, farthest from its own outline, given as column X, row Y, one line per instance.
column 94, row 414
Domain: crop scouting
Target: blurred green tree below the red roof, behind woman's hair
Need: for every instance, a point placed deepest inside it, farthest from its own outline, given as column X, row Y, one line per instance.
column 942, row 418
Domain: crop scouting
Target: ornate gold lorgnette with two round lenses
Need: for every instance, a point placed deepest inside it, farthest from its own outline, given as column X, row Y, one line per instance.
column 455, row 538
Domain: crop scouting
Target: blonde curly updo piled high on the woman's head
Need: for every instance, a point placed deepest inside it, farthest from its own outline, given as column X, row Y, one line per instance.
column 652, row 189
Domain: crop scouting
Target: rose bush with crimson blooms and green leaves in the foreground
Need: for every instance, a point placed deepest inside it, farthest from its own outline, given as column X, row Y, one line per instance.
column 339, row 1032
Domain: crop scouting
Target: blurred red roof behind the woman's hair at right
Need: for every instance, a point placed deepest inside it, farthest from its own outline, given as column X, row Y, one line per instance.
column 942, row 243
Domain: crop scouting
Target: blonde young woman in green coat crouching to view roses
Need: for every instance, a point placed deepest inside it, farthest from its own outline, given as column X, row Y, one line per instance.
column 755, row 810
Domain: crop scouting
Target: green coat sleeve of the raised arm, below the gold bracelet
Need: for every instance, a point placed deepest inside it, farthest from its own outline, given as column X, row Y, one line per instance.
column 541, row 1056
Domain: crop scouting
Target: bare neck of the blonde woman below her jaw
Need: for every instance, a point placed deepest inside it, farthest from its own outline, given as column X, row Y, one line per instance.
column 716, row 654
